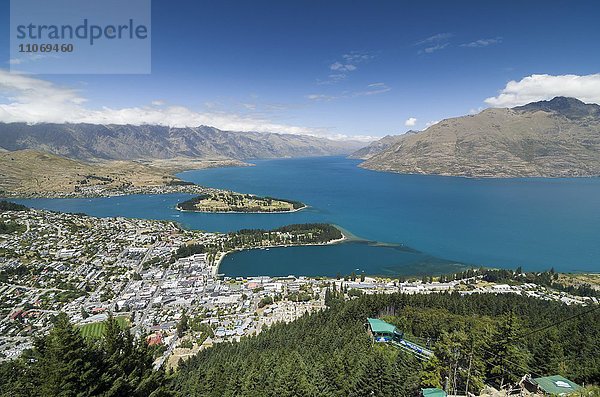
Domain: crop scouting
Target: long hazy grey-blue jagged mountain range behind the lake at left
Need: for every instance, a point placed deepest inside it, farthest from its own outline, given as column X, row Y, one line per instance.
column 130, row 142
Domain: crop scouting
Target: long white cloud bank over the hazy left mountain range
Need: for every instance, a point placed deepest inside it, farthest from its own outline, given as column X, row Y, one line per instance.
column 28, row 99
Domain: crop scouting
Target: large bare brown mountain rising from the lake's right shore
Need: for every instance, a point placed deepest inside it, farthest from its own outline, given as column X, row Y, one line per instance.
column 556, row 138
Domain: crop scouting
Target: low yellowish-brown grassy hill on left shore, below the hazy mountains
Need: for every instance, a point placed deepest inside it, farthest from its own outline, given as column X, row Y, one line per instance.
column 33, row 173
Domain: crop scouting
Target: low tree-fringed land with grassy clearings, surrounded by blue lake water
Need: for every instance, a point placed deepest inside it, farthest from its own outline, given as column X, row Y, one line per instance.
column 231, row 202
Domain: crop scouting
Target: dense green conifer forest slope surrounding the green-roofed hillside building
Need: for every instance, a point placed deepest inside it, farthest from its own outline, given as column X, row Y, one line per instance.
column 330, row 354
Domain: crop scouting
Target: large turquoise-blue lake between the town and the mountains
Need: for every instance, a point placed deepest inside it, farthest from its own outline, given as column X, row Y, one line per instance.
column 533, row 222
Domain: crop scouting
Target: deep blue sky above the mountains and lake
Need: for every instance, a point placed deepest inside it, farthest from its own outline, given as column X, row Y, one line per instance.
column 344, row 68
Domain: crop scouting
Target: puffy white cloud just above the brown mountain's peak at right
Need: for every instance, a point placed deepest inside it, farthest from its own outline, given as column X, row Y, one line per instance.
column 539, row 87
